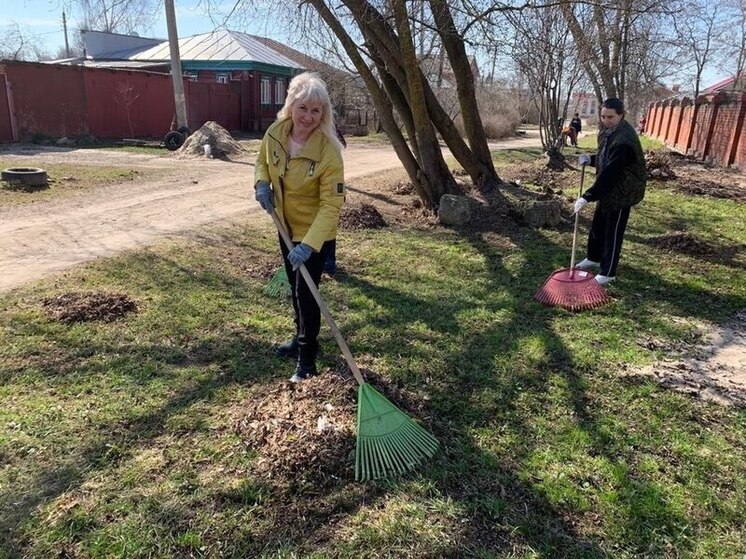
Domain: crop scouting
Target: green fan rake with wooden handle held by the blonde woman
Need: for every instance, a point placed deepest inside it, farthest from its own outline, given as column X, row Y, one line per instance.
column 388, row 440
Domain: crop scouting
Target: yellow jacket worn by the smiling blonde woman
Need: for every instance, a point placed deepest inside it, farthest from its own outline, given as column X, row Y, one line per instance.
column 309, row 188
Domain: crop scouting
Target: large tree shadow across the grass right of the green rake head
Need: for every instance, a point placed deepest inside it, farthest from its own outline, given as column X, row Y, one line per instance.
column 497, row 488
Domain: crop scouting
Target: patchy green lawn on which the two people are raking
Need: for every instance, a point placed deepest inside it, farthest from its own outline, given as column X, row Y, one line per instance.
column 117, row 438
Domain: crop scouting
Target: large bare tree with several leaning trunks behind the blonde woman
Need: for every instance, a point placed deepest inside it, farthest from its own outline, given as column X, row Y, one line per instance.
column 381, row 41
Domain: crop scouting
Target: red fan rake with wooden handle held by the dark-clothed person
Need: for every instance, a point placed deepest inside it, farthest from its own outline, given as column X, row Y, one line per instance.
column 569, row 288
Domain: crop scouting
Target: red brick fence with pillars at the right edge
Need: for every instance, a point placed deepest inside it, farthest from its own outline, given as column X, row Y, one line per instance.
column 711, row 127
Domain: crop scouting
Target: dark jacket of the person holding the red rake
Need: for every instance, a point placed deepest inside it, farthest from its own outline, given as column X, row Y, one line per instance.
column 621, row 183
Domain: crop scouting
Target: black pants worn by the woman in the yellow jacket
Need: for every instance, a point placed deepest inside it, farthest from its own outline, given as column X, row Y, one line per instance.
column 307, row 313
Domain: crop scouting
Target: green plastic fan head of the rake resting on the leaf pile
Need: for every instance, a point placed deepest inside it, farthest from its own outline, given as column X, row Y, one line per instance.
column 388, row 440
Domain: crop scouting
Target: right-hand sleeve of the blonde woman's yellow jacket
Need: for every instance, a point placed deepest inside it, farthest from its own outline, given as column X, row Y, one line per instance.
column 331, row 197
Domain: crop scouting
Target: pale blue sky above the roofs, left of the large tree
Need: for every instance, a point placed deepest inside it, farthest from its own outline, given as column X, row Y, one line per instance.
column 42, row 19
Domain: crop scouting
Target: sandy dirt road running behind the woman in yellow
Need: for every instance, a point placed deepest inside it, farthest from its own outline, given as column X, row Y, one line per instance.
column 36, row 239
